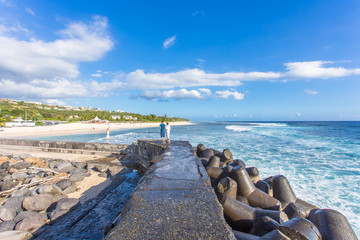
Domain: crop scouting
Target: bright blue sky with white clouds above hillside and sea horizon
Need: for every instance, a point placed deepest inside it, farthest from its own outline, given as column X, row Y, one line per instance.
column 204, row 60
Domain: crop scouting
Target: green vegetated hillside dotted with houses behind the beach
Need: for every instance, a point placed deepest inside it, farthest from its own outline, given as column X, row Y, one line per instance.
column 41, row 112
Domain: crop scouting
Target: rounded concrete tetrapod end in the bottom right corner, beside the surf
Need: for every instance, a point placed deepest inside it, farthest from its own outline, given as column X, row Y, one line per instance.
column 333, row 225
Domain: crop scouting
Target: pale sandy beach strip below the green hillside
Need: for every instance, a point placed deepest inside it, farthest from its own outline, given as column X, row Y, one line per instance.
column 74, row 128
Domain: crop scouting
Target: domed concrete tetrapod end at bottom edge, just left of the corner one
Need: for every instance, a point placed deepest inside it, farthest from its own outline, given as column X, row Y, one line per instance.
column 300, row 228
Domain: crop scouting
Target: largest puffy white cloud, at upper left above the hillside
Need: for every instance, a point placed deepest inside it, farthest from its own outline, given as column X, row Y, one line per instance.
column 36, row 59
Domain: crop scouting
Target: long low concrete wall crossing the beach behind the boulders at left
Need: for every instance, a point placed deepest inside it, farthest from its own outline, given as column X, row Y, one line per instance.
column 100, row 147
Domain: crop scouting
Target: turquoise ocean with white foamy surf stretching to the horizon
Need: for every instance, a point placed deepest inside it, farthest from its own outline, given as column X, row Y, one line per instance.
column 320, row 159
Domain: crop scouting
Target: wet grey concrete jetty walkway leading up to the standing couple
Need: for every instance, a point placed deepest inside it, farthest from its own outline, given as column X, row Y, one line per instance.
column 174, row 199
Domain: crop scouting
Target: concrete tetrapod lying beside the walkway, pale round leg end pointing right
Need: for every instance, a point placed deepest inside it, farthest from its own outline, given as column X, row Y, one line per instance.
column 244, row 216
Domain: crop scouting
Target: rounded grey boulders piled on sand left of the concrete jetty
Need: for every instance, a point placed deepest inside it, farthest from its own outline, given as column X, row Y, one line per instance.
column 36, row 193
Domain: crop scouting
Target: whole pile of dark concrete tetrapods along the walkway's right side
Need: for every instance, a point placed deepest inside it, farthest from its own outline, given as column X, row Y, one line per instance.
column 267, row 208
